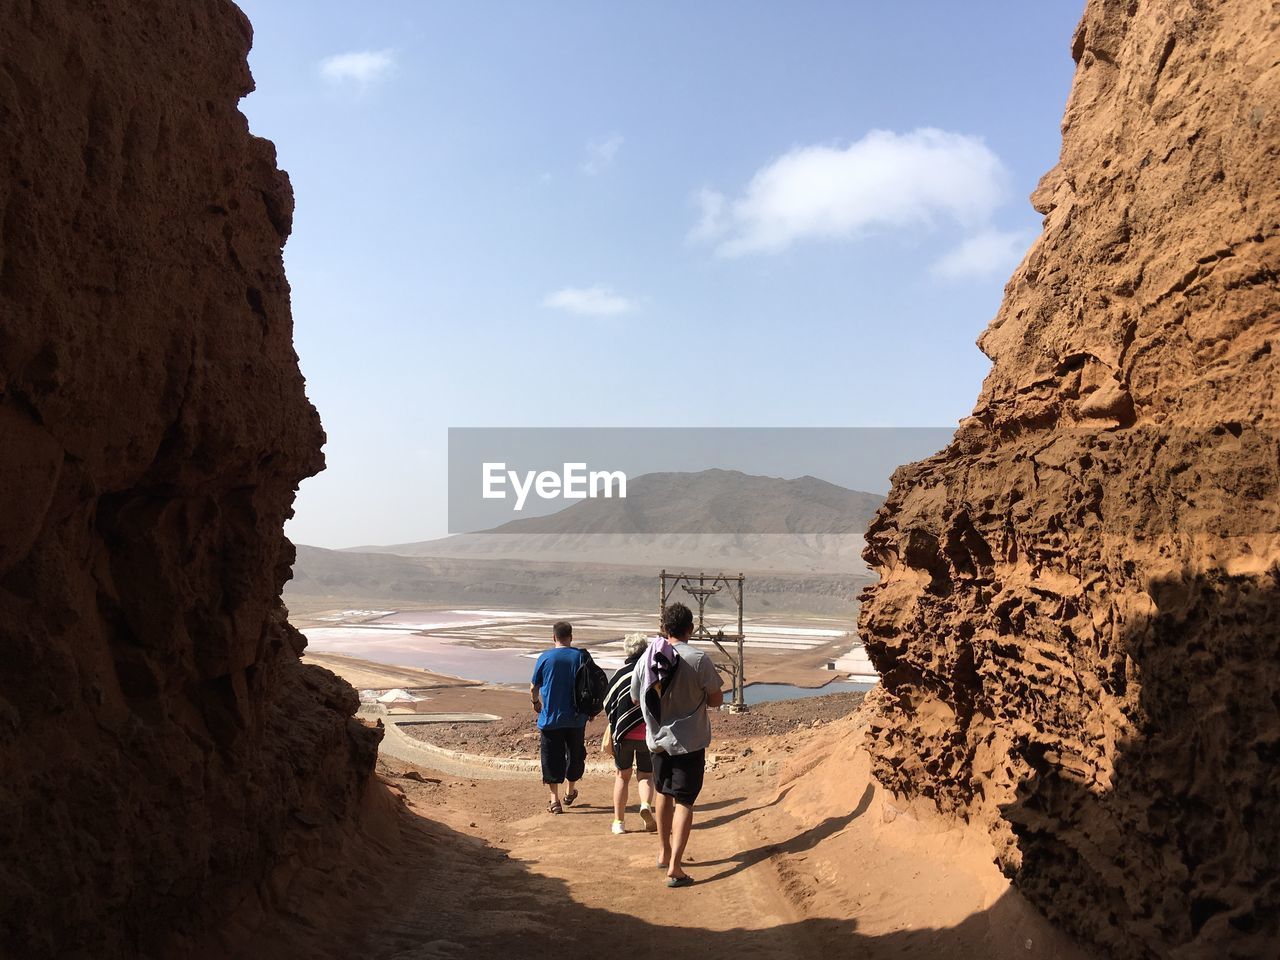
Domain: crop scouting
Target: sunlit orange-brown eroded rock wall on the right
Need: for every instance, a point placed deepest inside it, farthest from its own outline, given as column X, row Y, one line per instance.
column 1080, row 611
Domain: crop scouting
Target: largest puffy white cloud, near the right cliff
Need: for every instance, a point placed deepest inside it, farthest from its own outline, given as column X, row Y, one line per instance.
column 830, row 193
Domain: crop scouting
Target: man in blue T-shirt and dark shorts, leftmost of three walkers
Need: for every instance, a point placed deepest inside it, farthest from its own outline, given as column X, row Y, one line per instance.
column 560, row 725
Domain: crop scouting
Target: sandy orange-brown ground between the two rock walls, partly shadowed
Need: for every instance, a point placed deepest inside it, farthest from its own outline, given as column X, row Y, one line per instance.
column 796, row 852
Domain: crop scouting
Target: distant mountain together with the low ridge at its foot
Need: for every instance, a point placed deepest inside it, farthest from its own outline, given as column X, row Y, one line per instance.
column 799, row 542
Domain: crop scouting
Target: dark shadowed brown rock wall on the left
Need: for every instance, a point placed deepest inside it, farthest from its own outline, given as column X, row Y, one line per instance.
column 166, row 761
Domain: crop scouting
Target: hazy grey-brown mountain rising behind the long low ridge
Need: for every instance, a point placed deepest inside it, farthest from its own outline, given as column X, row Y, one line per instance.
column 714, row 518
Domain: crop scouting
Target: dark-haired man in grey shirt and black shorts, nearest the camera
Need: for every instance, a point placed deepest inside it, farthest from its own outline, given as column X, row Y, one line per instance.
column 679, row 734
